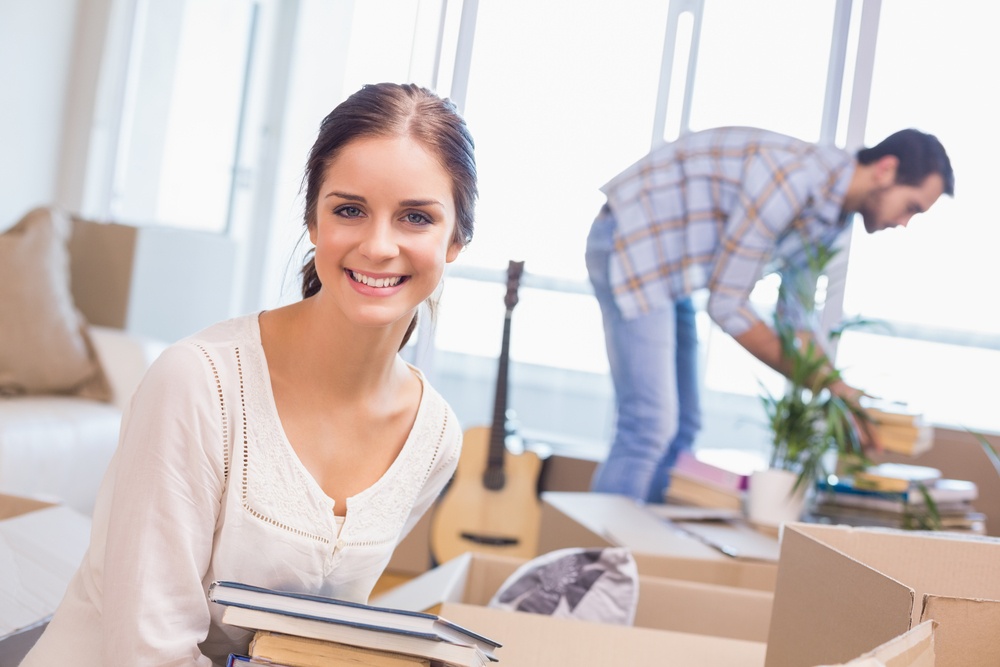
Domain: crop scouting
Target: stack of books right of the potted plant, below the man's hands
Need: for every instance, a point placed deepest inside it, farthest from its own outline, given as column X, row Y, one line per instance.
column 896, row 496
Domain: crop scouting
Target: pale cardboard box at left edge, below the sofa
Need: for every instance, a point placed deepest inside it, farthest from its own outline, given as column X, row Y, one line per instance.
column 41, row 546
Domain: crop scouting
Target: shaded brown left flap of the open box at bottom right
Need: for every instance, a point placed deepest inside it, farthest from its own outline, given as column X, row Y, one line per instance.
column 829, row 608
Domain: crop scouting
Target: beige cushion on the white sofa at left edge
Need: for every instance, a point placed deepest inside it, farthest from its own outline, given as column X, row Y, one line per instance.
column 44, row 345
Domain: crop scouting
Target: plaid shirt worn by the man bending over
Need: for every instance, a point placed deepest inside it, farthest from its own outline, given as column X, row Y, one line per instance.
column 720, row 209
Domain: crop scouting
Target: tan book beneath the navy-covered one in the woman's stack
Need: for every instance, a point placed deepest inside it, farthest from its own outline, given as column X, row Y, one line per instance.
column 296, row 651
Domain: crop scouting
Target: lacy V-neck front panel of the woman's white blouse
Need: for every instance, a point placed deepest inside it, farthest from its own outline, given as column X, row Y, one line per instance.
column 276, row 489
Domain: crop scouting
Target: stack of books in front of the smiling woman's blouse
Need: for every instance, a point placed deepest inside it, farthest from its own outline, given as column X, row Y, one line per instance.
column 298, row 630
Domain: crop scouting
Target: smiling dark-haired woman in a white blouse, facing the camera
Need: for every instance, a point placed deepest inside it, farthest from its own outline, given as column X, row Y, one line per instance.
column 293, row 448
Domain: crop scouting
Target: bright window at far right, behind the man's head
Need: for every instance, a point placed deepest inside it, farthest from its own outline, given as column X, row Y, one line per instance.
column 932, row 282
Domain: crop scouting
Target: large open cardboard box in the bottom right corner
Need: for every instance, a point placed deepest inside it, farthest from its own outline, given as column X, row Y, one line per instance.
column 842, row 591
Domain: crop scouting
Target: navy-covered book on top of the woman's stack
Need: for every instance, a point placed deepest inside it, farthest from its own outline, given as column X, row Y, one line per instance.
column 353, row 614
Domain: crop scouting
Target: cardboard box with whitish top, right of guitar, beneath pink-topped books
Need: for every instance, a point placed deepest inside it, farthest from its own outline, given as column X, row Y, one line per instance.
column 694, row 551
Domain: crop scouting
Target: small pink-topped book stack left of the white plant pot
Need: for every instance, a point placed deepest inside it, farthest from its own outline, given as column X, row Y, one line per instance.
column 715, row 478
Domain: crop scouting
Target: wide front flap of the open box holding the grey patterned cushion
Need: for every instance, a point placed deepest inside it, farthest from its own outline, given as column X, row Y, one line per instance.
column 532, row 640
